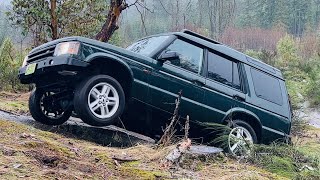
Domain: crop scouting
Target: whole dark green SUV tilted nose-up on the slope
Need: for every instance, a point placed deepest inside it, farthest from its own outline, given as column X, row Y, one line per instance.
column 97, row 80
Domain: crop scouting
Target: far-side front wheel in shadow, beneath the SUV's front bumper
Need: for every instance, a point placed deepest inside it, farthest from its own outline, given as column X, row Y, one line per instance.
column 47, row 109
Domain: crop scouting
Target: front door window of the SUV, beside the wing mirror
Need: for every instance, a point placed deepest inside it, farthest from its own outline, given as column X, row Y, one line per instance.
column 190, row 56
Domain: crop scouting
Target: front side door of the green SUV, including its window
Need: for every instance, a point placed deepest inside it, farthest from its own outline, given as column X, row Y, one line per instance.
column 182, row 74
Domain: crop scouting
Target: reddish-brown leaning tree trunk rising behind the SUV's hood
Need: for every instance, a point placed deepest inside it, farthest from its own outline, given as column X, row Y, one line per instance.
column 111, row 24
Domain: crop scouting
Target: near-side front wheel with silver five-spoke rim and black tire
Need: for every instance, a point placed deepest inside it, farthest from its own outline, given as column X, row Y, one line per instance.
column 99, row 100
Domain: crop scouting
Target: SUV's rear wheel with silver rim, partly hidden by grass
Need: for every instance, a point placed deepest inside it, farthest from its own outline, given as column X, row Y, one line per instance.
column 241, row 138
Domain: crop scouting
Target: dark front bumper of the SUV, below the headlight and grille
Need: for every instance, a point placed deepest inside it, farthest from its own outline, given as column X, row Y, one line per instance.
column 52, row 69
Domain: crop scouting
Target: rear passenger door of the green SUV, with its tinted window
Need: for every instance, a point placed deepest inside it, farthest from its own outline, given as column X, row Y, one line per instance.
column 224, row 89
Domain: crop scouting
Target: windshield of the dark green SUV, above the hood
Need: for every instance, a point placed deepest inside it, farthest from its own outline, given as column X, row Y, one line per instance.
column 147, row 46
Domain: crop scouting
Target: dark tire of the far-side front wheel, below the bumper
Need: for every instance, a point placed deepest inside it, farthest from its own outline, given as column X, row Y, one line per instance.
column 46, row 115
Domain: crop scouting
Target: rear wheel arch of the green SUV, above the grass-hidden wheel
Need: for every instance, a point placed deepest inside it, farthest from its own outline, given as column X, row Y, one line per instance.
column 247, row 116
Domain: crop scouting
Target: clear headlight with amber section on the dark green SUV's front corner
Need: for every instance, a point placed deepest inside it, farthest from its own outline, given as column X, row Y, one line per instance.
column 67, row 48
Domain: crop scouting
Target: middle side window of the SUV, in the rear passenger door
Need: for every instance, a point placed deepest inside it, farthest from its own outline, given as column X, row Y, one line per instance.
column 223, row 71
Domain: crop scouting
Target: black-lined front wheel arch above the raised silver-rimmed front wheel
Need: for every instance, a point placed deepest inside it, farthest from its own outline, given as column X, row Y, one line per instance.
column 103, row 63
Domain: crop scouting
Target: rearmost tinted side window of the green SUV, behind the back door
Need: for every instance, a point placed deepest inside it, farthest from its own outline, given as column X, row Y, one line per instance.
column 266, row 87
